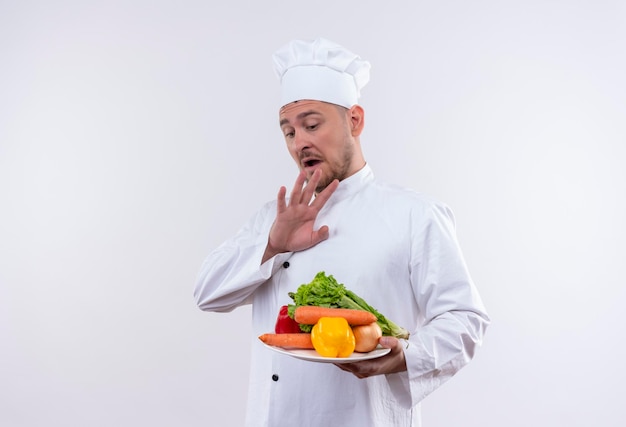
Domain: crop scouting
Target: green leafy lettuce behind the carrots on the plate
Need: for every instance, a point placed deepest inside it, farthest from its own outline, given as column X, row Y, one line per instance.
column 325, row 291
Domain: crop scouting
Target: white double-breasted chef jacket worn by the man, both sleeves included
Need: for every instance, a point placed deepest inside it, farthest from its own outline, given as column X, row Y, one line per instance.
column 395, row 248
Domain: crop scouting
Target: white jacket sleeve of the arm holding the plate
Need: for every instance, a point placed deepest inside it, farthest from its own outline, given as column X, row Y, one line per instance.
column 453, row 319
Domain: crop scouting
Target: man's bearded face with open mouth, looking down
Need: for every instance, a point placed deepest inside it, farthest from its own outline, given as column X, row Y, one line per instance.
column 318, row 136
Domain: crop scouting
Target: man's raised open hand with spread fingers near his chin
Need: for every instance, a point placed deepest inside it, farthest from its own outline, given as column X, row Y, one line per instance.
column 293, row 227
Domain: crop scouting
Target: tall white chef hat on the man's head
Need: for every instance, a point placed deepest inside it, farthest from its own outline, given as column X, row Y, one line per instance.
column 320, row 70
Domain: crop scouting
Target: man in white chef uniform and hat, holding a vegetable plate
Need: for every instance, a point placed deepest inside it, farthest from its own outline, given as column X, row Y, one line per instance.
column 392, row 246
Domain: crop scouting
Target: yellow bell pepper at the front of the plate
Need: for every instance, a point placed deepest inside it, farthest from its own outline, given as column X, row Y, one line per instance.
column 333, row 337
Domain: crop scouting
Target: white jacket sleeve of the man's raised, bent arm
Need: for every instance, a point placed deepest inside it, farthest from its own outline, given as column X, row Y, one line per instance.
column 231, row 273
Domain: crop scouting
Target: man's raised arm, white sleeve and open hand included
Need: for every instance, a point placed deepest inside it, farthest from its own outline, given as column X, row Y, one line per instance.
column 232, row 272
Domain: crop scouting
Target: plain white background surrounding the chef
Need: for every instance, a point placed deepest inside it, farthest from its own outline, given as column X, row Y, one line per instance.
column 135, row 136
